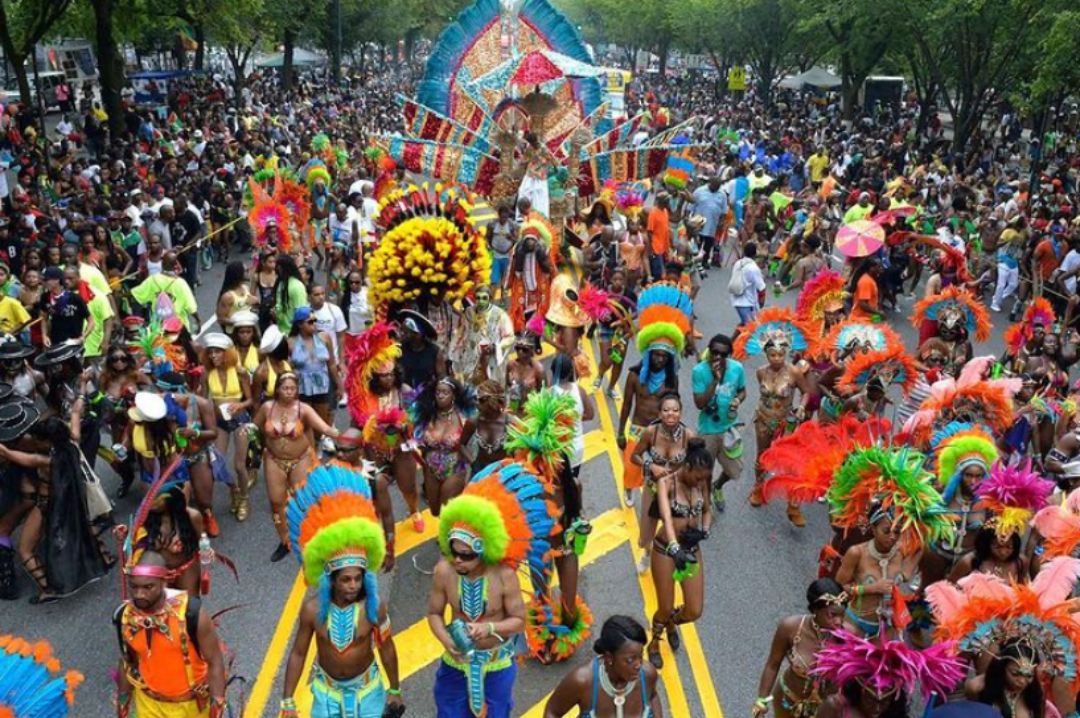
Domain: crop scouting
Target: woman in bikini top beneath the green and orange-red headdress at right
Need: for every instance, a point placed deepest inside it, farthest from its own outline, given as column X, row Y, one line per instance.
column 870, row 572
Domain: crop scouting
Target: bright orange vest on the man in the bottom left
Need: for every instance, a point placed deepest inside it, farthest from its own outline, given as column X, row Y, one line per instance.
column 160, row 666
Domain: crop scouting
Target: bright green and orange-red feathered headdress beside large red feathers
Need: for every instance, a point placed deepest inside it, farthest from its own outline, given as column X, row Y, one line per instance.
column 896, row 483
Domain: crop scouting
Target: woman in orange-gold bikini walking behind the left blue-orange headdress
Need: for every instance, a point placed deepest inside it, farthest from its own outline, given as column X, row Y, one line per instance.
column 288, row 425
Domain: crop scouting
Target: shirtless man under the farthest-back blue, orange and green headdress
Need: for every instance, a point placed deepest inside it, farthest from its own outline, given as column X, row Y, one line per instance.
column 644, row 405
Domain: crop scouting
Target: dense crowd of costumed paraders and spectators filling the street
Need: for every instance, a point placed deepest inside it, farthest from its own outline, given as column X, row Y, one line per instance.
column 950, row 470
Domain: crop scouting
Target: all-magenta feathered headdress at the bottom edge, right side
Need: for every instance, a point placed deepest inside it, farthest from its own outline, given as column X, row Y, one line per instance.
column 885, row 667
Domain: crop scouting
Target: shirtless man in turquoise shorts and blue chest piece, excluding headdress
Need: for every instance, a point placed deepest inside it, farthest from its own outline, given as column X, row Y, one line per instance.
column 345, row 678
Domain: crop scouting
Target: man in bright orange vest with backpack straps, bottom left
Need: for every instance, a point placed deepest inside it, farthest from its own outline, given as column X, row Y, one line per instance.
column 171, row 662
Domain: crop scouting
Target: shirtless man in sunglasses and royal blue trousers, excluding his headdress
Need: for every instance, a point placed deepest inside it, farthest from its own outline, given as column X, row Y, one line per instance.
column 493, row 614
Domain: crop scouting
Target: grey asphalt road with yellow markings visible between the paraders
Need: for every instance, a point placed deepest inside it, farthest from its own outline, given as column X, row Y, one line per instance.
column 758, row 567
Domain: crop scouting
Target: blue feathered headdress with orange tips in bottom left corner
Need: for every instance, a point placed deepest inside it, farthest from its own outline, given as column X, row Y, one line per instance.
column 32, row 683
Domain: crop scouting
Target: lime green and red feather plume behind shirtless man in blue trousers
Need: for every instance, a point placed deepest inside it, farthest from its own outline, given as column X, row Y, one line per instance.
column 541, row 438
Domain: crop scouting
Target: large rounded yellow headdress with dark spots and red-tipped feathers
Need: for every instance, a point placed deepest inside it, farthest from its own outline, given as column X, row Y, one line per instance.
column 430, row 251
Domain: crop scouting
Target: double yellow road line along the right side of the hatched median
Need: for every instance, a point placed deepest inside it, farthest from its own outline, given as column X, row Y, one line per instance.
column 677, row 697
